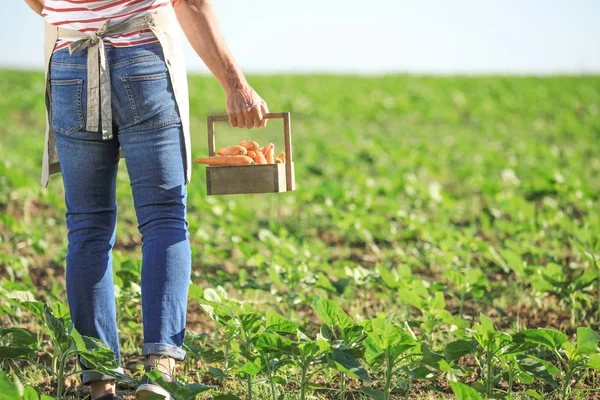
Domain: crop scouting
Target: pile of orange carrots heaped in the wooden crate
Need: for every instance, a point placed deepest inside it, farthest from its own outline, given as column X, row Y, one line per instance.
column 246, row 153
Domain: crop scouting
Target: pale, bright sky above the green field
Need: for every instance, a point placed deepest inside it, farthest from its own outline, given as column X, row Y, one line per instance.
column 541, row 37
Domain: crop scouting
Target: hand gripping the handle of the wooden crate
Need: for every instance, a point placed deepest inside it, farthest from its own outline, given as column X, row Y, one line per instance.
column 246, row 108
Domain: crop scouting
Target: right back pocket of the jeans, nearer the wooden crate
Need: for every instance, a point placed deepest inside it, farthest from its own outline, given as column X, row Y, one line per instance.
column 151, row 99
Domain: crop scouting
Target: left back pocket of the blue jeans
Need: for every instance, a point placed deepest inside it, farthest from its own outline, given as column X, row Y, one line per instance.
column 67, row 108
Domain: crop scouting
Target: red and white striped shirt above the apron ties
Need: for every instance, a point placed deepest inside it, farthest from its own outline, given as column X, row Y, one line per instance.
column 90, row 15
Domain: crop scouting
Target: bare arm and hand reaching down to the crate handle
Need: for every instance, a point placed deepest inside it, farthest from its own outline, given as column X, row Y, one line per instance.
column 199, row 23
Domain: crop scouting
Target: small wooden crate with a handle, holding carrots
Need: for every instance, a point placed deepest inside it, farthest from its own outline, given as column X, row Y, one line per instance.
column 243, row 179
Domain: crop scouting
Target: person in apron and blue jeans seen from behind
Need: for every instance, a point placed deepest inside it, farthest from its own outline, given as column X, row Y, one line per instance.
column 116, row 85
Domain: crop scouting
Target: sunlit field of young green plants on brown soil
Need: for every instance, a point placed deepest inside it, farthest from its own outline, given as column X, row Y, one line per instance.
column 443, row 242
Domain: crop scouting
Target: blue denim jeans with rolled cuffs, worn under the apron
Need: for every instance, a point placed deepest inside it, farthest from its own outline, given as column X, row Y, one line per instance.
column 148, row 130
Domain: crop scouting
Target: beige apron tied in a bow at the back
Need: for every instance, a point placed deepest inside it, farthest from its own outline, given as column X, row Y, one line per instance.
column 164, row 26
